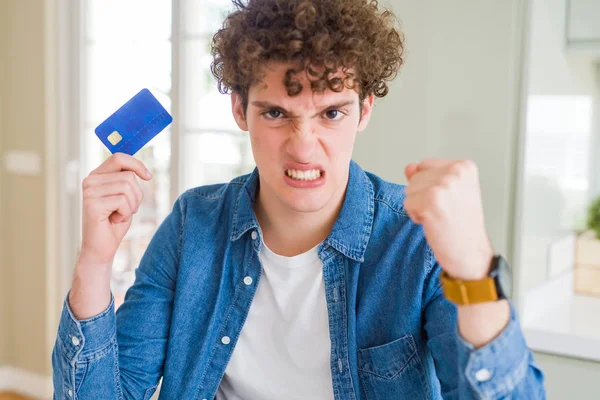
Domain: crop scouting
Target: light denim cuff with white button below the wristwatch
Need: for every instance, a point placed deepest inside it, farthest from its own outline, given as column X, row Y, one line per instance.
column 497, row 368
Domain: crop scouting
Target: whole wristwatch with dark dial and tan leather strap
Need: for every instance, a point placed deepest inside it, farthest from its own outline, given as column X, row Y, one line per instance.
column 496, row 286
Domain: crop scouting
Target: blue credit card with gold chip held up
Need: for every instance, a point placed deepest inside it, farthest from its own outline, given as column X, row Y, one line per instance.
column 133, row 125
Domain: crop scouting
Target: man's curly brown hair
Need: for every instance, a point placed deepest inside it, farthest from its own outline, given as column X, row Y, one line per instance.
column 316, row 36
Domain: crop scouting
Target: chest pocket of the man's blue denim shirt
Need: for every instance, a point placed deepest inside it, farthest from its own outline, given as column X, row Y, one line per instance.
column 393, row 370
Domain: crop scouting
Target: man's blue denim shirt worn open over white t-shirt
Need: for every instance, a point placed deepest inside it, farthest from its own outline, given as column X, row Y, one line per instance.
column 393, row 334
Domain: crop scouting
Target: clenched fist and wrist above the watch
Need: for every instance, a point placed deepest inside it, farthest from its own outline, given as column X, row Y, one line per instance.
column 444, row 197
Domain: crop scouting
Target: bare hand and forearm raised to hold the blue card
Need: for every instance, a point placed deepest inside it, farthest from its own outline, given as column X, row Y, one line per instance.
column 111, row 195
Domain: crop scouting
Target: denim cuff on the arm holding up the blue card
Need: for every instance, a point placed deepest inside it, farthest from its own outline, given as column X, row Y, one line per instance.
column 82, row 339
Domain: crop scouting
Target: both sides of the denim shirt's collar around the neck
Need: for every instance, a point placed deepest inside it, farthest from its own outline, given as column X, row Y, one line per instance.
column 352, row 229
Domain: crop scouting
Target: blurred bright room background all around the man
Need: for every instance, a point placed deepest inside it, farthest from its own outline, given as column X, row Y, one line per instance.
column 512, row 84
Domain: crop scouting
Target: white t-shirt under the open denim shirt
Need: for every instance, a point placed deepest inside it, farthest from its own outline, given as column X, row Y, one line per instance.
column 283, row 351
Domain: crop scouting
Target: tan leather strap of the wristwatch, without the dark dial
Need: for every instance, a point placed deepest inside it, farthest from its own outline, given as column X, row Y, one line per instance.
column 469, row 292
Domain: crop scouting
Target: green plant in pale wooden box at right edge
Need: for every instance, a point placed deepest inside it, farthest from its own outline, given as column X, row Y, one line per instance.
column 587, row 253
